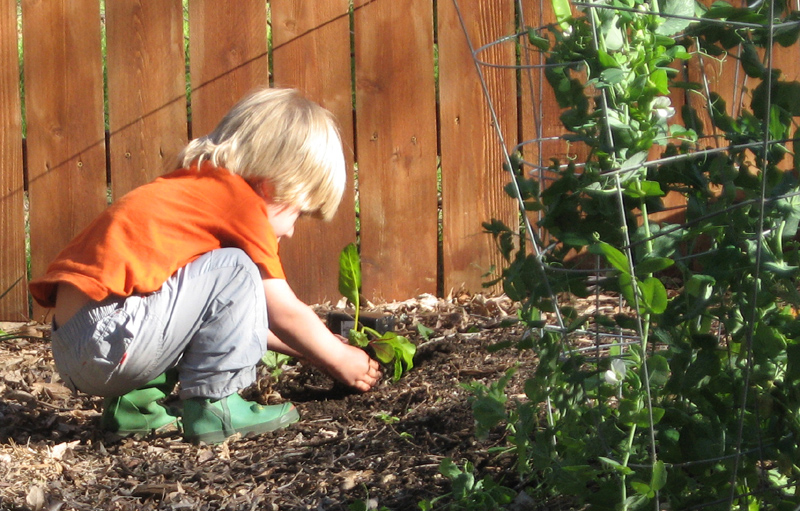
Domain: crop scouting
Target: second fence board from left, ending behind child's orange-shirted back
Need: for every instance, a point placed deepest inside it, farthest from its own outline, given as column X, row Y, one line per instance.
column 64, row 112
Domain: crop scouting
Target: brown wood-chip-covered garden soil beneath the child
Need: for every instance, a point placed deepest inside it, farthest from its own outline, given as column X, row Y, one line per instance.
column 374, row 450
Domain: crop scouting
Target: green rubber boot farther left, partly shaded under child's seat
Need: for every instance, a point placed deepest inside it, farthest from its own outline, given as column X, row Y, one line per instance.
column 139, row 412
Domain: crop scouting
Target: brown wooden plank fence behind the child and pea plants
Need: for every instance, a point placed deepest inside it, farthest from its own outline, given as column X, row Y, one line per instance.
column 399, row 76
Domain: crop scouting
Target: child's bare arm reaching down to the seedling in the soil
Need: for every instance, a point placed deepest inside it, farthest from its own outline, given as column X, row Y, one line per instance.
column 297, row 327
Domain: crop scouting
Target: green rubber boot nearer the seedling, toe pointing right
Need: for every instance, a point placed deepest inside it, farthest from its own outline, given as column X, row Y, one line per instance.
column 213, row 420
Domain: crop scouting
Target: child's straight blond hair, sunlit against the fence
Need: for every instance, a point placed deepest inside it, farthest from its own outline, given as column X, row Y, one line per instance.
column 279, row 138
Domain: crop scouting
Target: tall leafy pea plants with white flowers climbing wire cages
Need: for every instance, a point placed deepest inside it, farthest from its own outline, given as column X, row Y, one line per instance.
column 702, row 408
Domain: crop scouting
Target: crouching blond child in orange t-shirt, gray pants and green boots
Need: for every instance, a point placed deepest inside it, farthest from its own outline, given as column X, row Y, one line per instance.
column 180, row 280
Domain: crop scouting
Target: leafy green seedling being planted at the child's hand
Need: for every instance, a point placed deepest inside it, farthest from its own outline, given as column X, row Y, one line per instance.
column 389, row 348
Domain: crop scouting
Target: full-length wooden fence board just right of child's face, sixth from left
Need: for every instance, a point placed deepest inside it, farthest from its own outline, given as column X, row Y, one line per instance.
column 396, row 147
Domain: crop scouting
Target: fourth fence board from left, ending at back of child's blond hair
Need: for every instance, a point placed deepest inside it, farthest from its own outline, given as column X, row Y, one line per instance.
column 227, row 57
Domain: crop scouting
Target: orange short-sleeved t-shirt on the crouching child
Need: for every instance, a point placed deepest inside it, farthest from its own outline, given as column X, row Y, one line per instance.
column 136, row 244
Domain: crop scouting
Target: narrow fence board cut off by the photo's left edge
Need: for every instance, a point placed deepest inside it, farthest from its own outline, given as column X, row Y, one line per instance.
column 12, row 220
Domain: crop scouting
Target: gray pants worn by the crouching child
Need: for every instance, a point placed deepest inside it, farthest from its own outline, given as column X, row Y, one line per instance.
column 209, row 320
